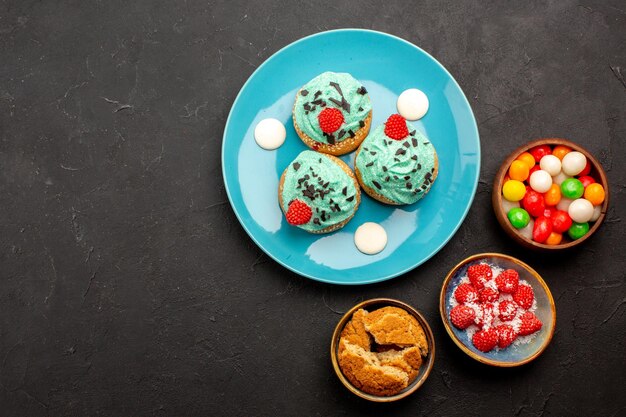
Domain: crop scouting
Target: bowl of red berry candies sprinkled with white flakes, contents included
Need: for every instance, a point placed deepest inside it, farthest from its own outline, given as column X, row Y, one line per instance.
column 497, row 309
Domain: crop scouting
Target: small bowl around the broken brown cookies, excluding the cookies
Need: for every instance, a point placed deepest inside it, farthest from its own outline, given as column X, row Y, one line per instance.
column 427, row 363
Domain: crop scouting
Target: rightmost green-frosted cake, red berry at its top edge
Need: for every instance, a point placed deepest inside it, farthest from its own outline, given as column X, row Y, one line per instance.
column 396, row 164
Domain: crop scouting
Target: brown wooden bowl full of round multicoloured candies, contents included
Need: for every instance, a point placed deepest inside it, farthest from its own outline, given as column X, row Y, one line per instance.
column 550, row 194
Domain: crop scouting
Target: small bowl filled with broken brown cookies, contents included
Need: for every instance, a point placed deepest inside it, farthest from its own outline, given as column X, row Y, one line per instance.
column 382, row 350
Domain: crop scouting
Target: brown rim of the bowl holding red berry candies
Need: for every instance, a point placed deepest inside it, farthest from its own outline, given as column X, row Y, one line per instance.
column 460, row 344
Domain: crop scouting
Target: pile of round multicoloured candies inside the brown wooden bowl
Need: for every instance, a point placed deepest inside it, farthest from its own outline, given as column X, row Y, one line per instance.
column 549, row 192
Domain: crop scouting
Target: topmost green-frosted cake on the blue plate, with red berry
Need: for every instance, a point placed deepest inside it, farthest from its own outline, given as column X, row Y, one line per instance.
column 332, row 113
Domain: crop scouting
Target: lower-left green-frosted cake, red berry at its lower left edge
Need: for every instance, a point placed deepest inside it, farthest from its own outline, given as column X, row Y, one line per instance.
column 318, row 193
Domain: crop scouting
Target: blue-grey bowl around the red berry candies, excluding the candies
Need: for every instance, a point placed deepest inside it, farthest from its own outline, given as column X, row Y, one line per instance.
column 545, row 311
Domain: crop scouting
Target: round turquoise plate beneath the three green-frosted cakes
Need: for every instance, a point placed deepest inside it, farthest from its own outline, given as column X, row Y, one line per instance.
column 386, row 65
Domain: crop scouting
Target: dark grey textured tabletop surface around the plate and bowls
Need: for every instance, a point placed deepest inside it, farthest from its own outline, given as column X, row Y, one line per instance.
column 127, row 286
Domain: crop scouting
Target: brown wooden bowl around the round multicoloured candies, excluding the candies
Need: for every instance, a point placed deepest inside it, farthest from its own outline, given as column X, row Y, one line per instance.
column 597, row 172
